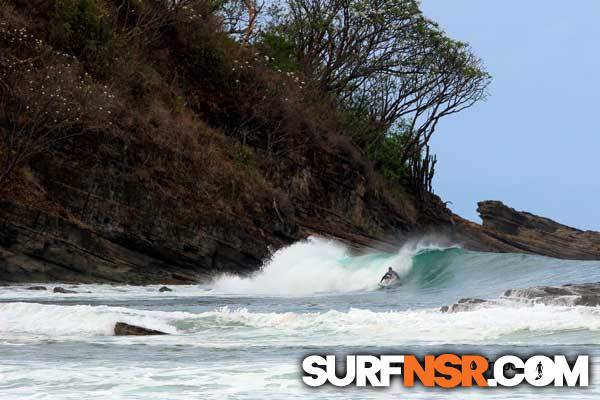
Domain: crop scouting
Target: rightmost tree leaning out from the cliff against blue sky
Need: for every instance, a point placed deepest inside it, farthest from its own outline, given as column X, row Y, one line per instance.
column 450, row 80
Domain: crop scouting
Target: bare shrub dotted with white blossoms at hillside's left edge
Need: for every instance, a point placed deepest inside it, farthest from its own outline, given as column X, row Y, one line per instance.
column 45, row 98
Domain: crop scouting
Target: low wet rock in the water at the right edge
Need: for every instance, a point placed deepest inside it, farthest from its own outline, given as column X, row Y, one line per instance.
column 585, row 294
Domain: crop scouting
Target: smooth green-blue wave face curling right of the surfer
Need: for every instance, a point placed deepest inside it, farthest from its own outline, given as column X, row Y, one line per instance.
column 442, row 276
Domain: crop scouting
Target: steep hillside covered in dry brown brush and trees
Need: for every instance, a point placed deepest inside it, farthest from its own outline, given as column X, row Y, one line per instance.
column 176, row 127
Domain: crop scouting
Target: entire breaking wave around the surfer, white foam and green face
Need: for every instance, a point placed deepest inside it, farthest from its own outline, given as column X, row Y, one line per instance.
column 435, row 274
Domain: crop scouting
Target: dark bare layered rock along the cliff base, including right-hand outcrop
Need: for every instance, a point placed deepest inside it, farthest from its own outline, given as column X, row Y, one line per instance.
column 120, row 241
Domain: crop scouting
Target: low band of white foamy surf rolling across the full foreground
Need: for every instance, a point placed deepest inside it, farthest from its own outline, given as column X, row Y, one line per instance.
column 500, row 324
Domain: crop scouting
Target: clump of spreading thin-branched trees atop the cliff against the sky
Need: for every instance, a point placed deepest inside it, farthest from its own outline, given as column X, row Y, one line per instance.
column 386, row 61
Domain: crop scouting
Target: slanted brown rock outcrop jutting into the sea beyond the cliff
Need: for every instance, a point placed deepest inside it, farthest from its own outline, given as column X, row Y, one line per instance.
column 506, row 230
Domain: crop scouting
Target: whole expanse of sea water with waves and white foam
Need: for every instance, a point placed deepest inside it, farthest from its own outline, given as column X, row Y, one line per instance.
column 245, row 338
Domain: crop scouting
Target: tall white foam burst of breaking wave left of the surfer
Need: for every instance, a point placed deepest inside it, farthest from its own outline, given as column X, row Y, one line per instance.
column 319, row 265
